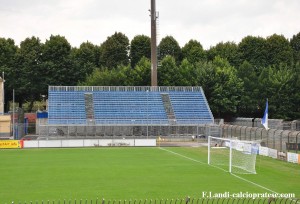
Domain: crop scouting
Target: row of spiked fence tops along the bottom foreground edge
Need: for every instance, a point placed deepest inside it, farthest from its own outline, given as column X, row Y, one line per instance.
column 173, row 201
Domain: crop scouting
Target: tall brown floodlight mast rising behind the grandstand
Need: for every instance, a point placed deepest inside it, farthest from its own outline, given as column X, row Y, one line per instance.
column 153, row 44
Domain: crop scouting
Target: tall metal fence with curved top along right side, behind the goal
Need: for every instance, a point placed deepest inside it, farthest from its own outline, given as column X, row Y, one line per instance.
column 281, row 140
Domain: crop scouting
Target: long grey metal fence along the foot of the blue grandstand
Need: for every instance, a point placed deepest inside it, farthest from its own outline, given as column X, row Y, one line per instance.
column 121, row 130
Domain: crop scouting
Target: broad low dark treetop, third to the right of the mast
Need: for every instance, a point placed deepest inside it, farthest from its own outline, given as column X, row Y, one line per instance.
column 227, row 50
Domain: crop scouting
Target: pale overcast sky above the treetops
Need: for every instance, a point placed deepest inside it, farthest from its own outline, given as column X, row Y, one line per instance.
column 207, row 21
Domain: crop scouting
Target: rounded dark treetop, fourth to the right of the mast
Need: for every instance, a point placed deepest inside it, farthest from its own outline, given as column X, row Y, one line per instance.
column 254, row 50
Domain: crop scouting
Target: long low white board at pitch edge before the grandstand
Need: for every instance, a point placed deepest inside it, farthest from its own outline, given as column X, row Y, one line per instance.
column 89, row 143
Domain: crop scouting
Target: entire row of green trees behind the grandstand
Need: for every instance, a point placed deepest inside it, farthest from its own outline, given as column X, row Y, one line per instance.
column 237, row 78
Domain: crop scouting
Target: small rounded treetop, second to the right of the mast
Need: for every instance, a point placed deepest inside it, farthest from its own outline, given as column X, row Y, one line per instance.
column 193, row 52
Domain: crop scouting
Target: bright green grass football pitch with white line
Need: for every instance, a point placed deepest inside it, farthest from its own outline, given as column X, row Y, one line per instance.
column 132, row 173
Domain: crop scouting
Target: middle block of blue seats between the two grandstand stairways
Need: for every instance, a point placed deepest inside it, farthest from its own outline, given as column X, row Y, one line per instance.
column 130, row 107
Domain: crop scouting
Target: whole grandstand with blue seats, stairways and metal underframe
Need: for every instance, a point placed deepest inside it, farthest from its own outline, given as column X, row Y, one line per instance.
column 74, row 109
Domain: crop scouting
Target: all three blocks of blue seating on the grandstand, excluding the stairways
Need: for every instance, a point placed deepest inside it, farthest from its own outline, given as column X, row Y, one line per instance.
column 139, row 107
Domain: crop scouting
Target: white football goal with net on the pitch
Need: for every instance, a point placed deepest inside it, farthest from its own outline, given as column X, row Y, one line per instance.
column 232, row 155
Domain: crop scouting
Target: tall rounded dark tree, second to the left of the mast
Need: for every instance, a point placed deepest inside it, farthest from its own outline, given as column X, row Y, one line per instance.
column 114, row 51
